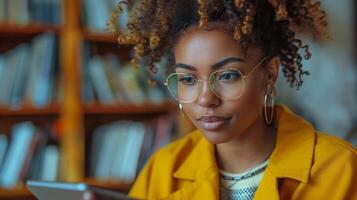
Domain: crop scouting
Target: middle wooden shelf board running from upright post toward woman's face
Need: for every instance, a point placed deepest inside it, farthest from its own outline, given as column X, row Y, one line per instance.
column 148, row 108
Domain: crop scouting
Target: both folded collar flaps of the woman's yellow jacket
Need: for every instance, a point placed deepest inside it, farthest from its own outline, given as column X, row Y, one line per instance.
column 295, row 140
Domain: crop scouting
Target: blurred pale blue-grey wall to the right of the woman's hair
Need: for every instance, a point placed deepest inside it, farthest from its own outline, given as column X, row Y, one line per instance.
column 328, row 97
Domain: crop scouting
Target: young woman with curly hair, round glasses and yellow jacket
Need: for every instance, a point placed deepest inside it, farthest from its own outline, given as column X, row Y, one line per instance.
column 226, row 55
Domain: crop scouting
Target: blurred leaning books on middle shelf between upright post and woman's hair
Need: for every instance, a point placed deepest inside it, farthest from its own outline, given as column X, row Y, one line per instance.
column 109, row 81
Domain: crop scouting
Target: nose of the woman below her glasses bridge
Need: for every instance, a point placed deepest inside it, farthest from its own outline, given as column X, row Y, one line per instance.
column 206, row 98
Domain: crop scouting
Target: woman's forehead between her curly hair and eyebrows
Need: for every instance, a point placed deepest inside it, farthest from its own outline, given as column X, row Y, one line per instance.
column 202, row 49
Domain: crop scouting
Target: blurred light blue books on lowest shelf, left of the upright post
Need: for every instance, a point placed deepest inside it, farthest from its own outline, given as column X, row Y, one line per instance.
column 27, row 154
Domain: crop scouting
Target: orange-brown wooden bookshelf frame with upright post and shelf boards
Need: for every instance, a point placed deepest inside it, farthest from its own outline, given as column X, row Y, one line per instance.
column 76, row 119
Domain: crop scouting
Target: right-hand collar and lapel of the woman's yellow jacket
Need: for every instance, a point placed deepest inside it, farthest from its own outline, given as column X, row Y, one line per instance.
column 291, row 160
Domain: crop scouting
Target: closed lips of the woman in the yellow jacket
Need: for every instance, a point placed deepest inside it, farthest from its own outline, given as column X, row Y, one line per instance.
column 211, row 123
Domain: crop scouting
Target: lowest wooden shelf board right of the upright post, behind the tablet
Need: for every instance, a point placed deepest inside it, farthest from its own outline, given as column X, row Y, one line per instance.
column 113, row 185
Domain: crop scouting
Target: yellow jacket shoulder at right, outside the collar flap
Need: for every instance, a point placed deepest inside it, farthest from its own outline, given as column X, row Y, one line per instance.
column 334, row 168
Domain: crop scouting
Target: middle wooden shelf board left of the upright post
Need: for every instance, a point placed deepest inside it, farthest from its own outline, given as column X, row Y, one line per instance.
column 52, row 110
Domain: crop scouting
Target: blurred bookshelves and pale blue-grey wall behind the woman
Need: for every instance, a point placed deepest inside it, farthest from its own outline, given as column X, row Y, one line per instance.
column 72, row 108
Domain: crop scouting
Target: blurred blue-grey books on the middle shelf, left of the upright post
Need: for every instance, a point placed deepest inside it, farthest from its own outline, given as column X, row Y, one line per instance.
column 28, row 73
